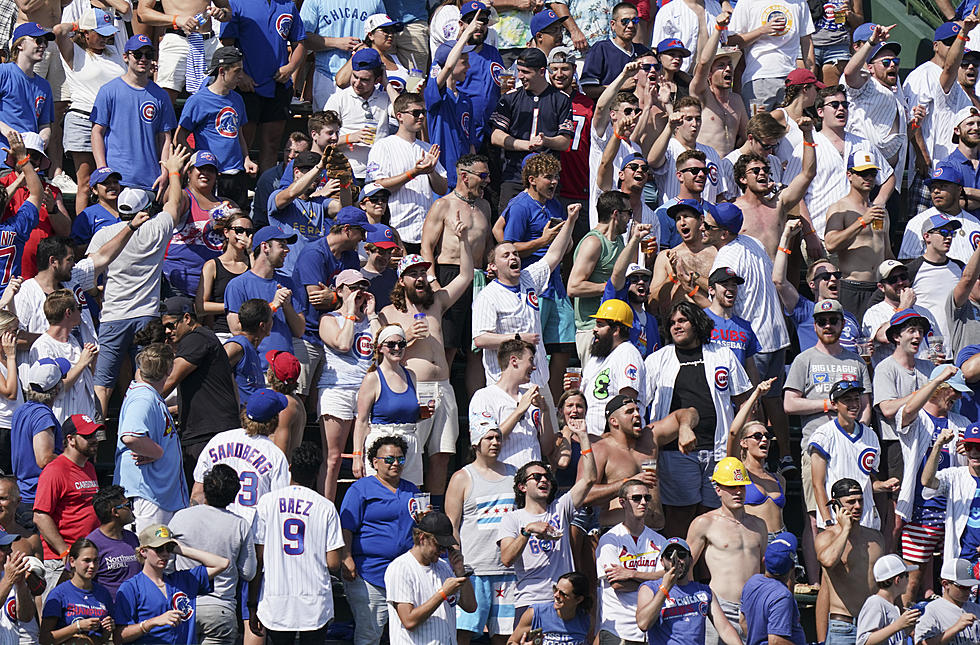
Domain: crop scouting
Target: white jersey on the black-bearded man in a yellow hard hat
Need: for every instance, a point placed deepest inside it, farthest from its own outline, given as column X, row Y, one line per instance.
column 603, row 378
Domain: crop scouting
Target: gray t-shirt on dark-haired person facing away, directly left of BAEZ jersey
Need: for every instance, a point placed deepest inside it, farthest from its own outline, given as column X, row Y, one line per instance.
column 223, row 533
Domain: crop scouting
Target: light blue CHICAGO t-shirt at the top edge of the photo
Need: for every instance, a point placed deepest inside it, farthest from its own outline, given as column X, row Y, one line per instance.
column 332, row 19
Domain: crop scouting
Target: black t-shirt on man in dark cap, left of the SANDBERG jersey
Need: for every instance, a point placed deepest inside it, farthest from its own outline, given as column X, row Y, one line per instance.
column 207, row 395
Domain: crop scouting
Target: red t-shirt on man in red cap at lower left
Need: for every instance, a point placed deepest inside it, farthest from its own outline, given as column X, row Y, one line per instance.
column 65, row 492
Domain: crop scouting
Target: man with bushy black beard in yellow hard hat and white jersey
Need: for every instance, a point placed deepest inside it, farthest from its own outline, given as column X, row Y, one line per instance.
column 614, row 365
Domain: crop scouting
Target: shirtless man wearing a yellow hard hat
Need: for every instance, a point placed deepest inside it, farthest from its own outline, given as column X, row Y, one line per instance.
column 732, row 541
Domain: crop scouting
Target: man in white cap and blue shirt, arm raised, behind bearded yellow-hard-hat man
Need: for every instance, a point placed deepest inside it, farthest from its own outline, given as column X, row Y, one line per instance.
column 630, row 282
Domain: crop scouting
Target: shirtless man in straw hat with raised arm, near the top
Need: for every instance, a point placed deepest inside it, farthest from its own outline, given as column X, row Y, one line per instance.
column 723, row 116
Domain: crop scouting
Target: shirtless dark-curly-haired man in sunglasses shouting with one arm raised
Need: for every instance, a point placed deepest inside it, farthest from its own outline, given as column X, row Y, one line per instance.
column 765, row 214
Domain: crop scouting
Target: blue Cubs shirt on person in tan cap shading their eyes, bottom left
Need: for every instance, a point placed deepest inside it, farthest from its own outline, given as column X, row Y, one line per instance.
column 139, row 598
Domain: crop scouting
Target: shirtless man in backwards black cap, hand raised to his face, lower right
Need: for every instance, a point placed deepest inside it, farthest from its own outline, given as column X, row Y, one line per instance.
column 847, row 552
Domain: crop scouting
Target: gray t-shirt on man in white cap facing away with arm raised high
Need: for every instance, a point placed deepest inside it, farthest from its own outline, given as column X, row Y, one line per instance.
column 133, row 278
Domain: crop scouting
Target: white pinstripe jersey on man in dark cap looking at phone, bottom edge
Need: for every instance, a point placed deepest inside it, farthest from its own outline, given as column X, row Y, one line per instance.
column 408, row 581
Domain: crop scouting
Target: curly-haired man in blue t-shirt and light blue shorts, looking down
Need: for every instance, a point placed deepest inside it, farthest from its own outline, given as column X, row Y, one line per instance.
column 531, row 221
